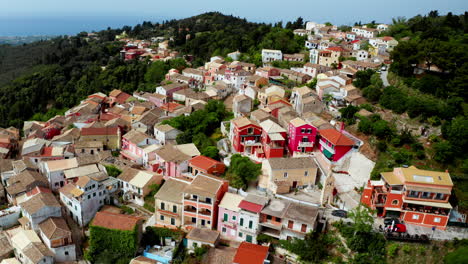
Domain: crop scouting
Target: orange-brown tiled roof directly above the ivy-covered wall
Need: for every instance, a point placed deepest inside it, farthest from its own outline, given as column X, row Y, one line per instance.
column 115, row 221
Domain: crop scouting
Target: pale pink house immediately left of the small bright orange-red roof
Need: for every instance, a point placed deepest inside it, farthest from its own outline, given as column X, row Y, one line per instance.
column 170, row 162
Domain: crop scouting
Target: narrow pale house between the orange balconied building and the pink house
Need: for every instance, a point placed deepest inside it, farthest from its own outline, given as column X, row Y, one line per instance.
column 228, row 215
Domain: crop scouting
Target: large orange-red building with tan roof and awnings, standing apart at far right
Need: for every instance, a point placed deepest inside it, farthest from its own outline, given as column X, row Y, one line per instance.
column 416, row 196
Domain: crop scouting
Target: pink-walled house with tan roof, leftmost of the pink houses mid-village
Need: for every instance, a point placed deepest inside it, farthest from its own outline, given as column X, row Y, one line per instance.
column 133, row 144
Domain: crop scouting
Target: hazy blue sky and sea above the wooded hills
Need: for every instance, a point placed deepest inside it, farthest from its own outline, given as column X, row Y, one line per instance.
column 23, row 17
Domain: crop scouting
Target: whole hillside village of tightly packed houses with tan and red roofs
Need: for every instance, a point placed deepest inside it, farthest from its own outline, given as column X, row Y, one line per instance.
column 277, row 162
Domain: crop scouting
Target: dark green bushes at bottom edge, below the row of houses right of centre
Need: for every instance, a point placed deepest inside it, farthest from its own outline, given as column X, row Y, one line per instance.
column 311, row 249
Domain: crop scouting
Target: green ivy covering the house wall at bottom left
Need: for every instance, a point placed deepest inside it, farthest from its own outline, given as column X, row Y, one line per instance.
column 113, row 246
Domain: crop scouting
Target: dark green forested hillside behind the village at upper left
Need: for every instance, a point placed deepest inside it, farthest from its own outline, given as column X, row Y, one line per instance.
column 56, row 74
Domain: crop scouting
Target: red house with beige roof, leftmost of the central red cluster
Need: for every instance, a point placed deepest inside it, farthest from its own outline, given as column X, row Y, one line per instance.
column 246, row 135
